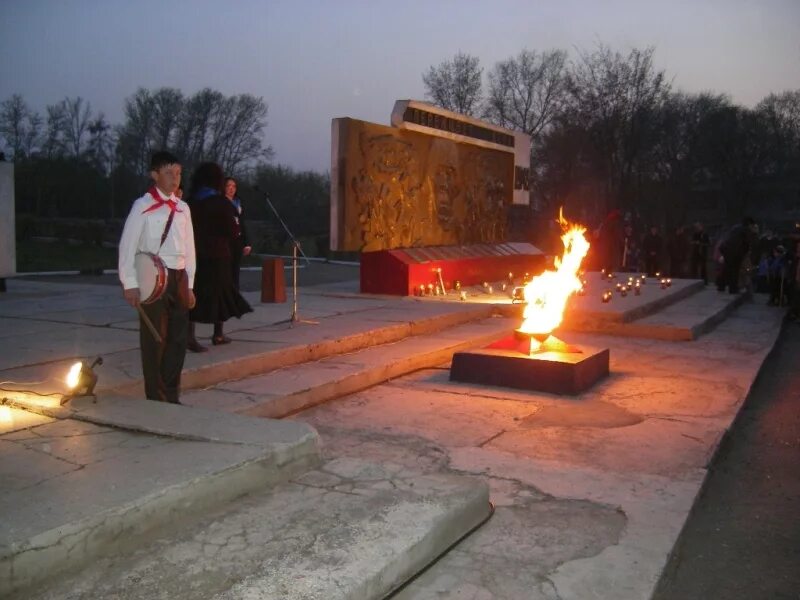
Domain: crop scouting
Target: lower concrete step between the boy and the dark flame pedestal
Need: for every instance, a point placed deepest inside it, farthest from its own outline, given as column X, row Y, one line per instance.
column 286, row 391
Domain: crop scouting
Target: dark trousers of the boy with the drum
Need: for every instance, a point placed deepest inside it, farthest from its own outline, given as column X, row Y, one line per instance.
column 162, row 363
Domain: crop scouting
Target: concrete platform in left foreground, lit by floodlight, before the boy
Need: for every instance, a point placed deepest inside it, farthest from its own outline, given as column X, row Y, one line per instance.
column 93, row 478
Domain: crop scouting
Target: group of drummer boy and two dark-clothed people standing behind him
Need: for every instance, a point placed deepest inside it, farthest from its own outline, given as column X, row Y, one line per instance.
column 200, row 243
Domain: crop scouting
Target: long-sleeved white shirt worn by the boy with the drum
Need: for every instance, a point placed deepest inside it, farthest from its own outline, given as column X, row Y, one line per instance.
column 142, row 233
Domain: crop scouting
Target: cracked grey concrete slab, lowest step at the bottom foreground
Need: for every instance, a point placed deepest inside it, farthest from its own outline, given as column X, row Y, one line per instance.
column 349, row 531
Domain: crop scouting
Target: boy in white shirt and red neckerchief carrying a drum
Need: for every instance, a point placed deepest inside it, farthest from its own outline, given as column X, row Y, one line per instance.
column 160, row 223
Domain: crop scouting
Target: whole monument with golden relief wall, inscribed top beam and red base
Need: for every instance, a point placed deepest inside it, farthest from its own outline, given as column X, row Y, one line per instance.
column 426, row 200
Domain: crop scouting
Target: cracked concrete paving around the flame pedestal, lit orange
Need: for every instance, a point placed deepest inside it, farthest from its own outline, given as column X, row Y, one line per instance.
column 590, row 491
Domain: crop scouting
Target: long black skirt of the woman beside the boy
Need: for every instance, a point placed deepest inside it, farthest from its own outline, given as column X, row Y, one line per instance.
column 217, row 297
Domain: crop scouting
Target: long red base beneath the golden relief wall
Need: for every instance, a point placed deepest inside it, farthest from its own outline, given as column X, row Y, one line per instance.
column 401, row 271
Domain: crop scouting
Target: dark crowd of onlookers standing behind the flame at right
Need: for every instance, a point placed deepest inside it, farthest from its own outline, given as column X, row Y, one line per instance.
column 740, row 258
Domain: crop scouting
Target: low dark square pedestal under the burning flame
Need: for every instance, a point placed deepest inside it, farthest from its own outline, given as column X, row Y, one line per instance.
column 503, row 364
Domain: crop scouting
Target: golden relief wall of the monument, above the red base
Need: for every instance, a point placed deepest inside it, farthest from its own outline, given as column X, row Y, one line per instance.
column 395, row 188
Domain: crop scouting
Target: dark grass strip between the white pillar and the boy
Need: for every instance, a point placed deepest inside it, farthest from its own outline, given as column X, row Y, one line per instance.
column 40, row 255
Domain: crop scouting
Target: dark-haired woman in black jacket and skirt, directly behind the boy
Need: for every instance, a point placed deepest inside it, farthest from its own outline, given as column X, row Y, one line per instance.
column 214, row 221
